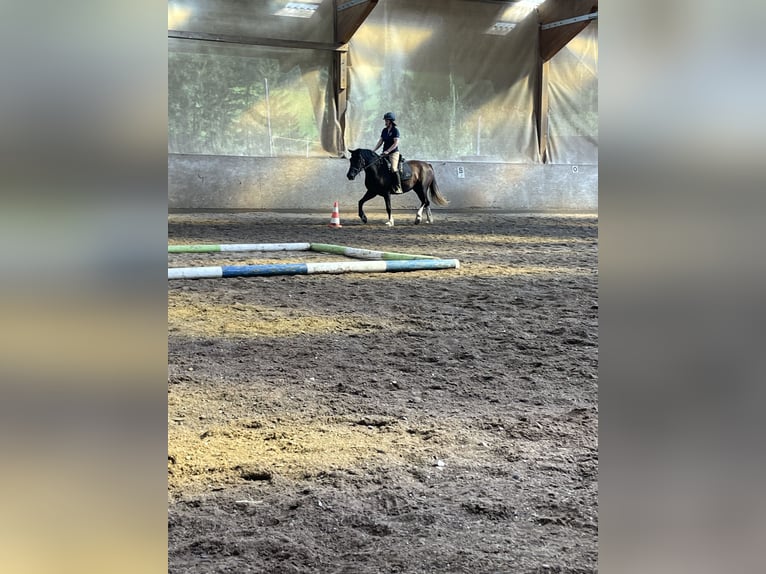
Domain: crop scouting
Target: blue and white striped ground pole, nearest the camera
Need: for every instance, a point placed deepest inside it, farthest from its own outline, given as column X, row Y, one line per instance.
column 311, row 268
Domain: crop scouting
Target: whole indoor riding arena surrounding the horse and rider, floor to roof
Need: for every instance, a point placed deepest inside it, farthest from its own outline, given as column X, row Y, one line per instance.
column 403, row 395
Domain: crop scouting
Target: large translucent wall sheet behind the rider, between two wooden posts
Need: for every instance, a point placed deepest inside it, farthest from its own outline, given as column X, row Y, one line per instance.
column 461, row 90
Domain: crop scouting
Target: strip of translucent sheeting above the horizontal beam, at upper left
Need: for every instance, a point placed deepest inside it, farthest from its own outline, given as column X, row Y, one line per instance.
column 275, row 19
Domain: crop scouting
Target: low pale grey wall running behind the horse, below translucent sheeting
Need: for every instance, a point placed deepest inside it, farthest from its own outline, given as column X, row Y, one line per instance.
column 225, row 182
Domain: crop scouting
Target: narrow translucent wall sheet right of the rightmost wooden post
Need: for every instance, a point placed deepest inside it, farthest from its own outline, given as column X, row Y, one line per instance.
column 573, row 100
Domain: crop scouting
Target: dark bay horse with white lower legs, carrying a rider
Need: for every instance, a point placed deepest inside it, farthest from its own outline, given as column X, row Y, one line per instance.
column 379, row 180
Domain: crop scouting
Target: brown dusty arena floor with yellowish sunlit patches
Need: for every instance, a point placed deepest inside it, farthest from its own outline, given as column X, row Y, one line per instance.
column 414, row 422
